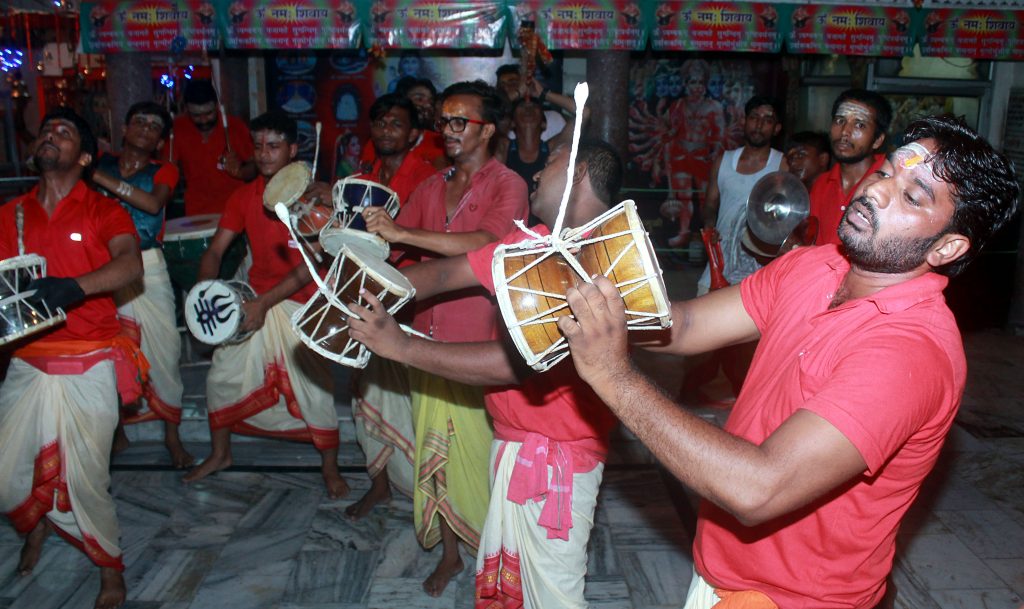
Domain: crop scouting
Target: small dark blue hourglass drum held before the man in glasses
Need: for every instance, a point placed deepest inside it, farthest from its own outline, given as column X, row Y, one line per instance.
column 351, row 197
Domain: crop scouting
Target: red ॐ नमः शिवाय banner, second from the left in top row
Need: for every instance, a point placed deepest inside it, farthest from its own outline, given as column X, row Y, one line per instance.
column 290, row 25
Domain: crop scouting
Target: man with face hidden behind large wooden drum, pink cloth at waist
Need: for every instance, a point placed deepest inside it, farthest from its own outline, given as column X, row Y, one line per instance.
column 526, row 556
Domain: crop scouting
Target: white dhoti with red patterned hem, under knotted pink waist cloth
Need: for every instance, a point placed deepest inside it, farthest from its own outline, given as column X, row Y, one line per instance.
column 518, row 564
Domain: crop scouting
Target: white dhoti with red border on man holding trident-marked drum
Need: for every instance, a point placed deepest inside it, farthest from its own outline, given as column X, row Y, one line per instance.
column 273, row 385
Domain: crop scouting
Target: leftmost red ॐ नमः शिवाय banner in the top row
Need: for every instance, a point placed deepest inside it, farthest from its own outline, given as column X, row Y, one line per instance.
column 157, row 26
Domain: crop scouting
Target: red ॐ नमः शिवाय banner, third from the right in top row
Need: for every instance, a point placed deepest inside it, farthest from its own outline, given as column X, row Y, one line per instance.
column 694, row 26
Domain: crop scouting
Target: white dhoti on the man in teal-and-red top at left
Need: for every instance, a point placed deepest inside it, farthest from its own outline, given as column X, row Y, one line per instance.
column 146, row 310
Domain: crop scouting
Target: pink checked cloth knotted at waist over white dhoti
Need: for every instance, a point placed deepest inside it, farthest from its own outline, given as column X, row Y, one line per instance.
column 530, row 482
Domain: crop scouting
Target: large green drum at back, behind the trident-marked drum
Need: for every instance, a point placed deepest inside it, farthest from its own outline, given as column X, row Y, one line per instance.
column 185, row 242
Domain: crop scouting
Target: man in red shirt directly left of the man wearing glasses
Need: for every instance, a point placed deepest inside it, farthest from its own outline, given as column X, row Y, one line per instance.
column 381, row 406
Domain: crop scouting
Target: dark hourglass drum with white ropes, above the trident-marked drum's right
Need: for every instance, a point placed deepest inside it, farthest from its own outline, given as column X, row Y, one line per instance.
column 323, row 322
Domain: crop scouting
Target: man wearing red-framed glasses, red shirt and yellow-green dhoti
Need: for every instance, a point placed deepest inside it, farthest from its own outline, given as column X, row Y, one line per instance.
column 456, row 211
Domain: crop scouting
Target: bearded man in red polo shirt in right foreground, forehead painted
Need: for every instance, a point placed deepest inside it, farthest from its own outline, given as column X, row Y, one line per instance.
column 855, row 386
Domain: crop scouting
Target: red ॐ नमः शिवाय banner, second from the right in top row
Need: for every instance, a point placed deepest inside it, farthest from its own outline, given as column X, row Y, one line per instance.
column 879, row 31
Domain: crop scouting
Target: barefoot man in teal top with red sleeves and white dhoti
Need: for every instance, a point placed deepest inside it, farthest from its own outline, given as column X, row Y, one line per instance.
column 144, row 187
